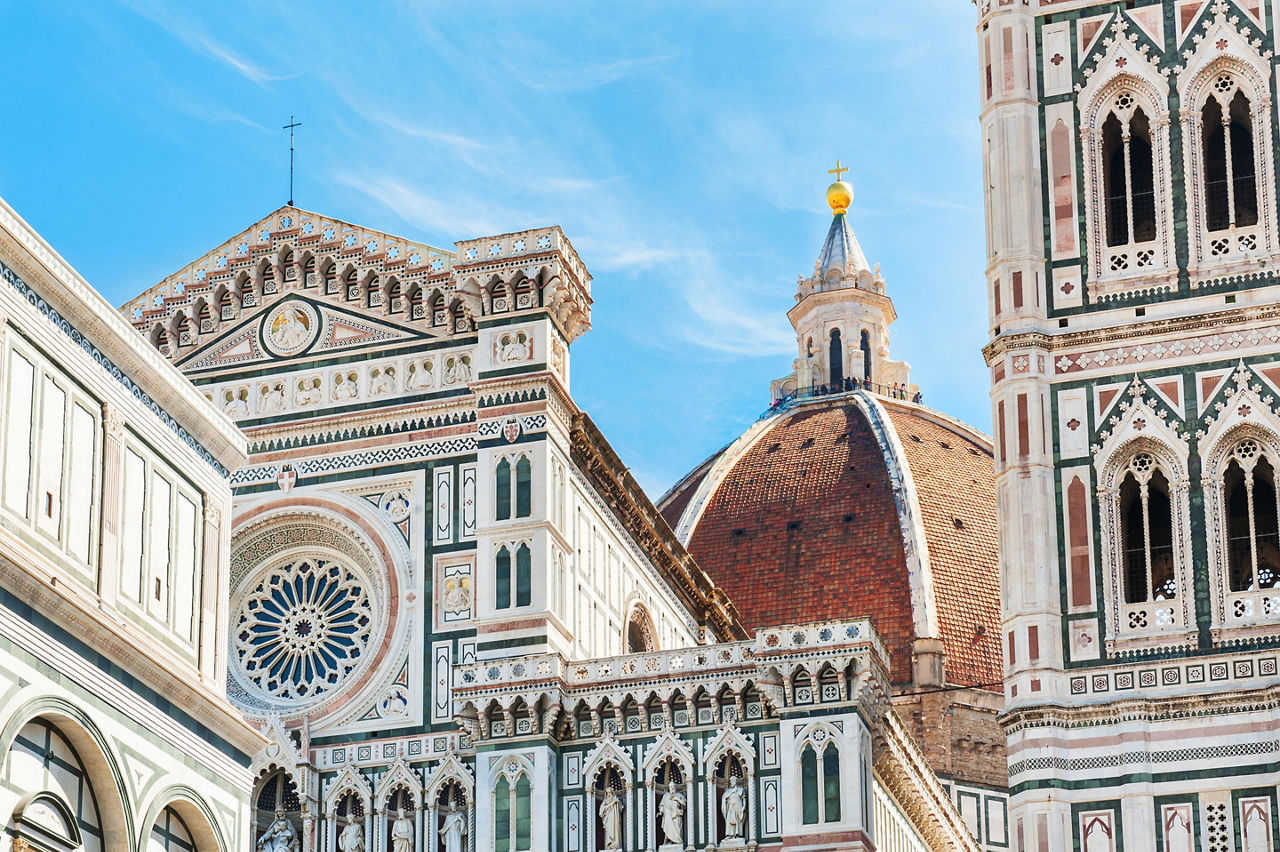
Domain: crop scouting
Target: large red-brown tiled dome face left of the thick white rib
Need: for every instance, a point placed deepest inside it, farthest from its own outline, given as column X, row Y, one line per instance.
column 804, row 529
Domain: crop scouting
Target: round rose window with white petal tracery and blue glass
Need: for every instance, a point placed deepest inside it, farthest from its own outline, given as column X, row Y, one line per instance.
column 304, row 629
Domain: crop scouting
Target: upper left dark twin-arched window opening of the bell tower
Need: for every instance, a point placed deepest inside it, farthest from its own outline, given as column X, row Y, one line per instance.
column 1128, row 175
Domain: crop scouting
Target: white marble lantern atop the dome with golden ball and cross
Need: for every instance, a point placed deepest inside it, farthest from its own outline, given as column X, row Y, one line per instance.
column 842, row 318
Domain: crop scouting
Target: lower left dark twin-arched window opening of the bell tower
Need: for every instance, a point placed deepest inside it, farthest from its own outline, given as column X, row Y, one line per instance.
column 1148, row 534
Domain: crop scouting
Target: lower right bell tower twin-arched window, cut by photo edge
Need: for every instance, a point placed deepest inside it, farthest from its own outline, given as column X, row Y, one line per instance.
column 1252, row 529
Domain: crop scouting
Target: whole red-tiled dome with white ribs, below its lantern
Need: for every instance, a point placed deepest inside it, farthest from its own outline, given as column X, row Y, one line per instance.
column 851, row 506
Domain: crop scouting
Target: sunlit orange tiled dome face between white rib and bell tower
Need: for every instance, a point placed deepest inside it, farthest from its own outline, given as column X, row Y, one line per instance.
column 956, row 485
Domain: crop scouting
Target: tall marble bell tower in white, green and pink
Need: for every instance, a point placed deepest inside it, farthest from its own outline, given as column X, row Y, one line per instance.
column 1135, row 355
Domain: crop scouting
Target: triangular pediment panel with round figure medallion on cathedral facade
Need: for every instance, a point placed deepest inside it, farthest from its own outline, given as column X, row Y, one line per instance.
column 296, row 328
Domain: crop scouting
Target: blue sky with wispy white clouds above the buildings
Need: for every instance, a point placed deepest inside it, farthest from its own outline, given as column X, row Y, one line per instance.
column 684, row 149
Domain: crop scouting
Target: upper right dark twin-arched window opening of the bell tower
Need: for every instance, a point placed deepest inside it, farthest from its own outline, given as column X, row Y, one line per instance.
column 1231, row 180
